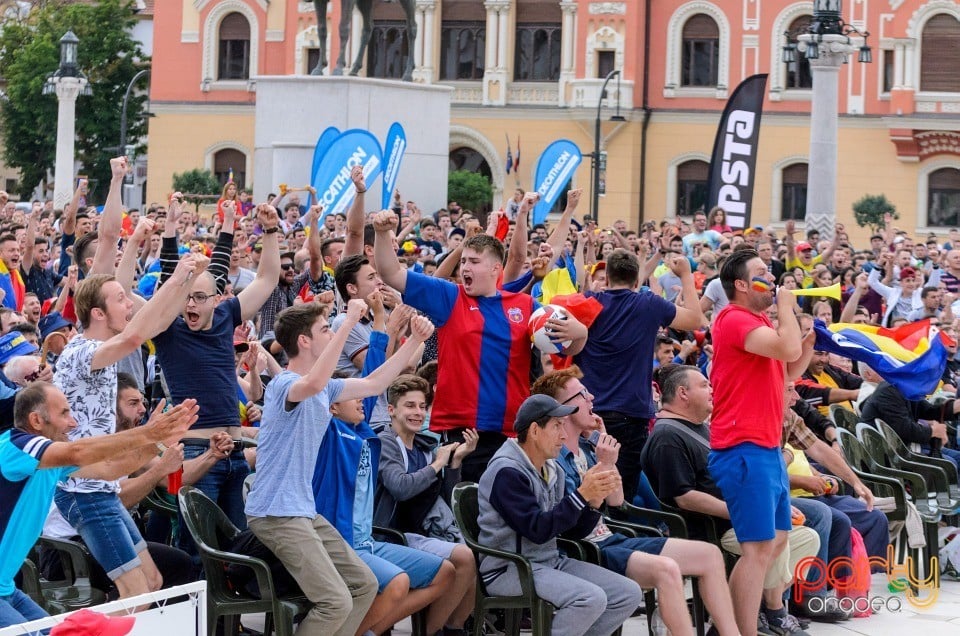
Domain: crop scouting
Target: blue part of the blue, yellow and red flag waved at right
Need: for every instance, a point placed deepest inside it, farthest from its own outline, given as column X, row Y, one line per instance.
column 916, row 378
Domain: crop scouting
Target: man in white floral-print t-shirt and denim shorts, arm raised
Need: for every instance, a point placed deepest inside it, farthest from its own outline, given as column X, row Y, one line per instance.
column 87, row 375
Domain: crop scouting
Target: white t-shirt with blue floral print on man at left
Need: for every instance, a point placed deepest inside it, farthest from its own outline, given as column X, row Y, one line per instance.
column 92, row 396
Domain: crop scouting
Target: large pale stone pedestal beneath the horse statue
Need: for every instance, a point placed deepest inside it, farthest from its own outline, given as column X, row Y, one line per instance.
column 292, row 111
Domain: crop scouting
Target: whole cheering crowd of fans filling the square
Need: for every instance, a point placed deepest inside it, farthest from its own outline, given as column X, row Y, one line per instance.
column 321, row 377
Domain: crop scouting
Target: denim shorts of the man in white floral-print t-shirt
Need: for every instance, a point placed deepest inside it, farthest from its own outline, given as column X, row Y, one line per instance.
column 105, row 527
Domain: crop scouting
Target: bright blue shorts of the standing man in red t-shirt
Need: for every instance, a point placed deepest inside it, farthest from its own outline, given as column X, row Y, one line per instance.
column 754, row 484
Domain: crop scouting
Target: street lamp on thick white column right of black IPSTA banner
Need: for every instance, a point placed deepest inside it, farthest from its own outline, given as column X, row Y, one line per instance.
column 826, row 43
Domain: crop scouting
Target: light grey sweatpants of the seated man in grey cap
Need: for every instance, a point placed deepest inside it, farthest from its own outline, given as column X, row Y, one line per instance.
column 589, row 599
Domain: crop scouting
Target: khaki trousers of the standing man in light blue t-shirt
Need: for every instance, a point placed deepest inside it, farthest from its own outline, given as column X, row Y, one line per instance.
column 340, row 585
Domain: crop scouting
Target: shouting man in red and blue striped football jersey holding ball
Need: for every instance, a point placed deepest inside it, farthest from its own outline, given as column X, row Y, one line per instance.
column 484, row 343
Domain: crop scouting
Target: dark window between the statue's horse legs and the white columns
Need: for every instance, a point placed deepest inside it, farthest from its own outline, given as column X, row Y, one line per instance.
column 463, row 40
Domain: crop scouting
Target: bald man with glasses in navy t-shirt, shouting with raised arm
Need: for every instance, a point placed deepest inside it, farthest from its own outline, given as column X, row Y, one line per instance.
column 196, row 355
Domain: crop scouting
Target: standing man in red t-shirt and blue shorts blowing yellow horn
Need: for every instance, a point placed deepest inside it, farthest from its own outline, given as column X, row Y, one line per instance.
column 751, row 363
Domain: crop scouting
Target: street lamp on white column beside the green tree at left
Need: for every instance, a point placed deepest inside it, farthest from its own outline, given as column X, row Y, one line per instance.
column 67, row 83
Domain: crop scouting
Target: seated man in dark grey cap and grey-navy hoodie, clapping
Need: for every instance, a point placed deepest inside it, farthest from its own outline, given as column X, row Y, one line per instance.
column 523, row 508
